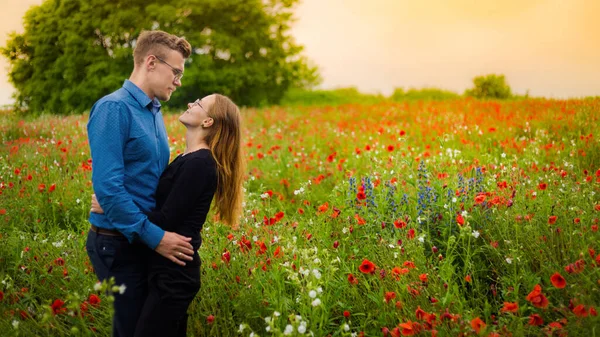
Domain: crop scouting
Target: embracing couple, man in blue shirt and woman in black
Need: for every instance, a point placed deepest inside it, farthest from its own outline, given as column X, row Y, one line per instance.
column 147, row 213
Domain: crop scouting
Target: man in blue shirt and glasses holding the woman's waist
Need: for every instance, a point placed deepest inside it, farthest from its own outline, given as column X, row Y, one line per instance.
column 130, row 150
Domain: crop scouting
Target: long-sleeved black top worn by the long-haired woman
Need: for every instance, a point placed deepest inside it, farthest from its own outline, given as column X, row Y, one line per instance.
column 183, row 197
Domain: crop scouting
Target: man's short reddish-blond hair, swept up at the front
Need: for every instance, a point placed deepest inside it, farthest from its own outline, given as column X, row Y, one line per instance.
column 157, row 42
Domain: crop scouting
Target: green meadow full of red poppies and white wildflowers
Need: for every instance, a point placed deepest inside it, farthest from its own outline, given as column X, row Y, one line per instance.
column 454, row 218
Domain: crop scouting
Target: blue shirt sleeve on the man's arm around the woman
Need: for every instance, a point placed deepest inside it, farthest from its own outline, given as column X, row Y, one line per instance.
column 108, row 131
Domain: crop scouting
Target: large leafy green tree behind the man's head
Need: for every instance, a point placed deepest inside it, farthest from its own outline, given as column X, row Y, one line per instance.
column 75, row 51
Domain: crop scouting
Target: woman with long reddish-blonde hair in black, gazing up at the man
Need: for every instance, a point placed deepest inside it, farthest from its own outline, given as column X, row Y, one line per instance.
column 212, row 165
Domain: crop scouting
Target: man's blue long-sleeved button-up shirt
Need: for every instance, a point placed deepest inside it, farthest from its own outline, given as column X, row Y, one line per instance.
column 130, row 150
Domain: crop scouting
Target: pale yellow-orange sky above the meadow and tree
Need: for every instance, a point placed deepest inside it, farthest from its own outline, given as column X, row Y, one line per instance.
column 549, row 47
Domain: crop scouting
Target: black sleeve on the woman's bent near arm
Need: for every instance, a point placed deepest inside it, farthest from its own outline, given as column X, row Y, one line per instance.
column 194, row 177
